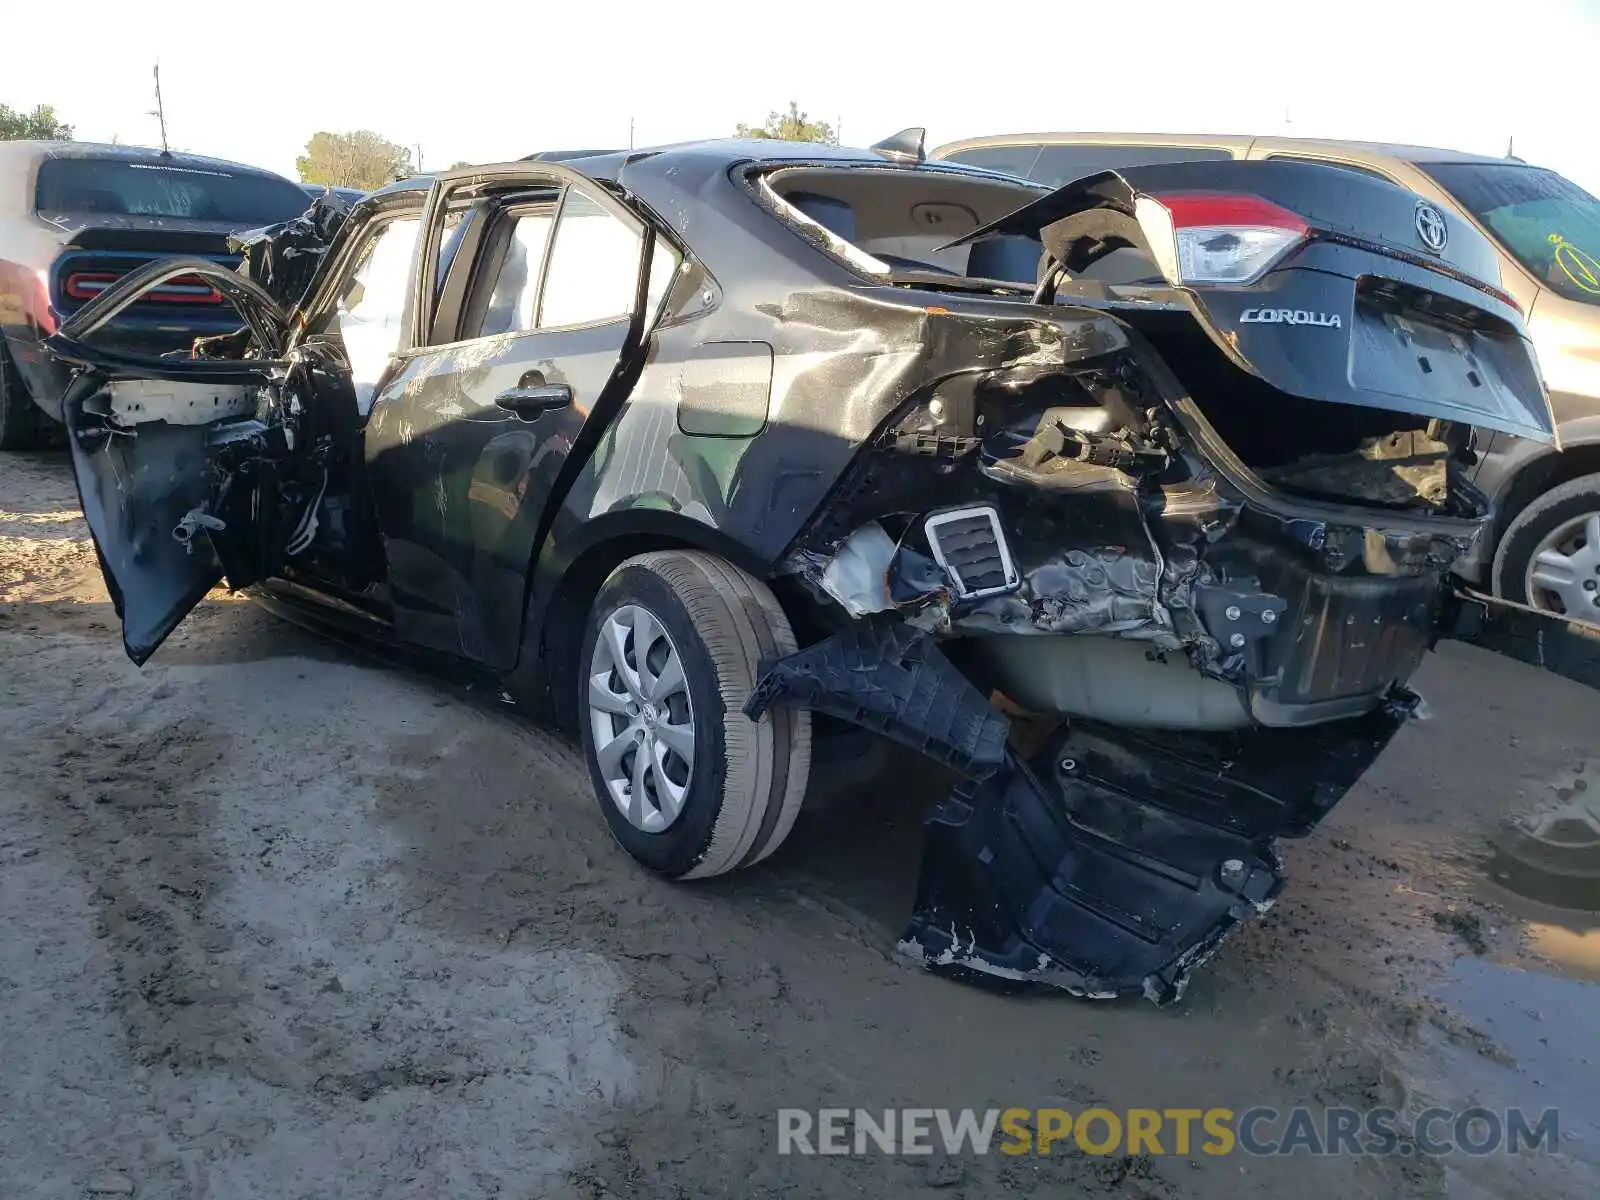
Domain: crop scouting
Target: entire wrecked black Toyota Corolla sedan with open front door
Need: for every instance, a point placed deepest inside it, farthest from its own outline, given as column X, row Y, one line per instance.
column 702, row 450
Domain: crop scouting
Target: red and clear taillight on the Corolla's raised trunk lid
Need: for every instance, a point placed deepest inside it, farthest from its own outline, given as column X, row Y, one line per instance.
column 1207, row 238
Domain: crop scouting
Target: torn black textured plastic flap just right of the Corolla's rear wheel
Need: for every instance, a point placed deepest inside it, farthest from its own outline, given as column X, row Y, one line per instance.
column 890, row 678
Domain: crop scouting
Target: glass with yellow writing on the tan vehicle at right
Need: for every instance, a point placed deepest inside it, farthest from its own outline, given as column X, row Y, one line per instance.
column 1545, row 220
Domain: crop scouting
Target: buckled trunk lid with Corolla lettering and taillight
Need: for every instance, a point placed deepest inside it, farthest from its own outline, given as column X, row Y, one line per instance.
column 1366, row 295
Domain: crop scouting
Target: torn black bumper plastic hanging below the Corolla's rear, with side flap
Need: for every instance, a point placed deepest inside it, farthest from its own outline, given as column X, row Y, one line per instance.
column 1110, row 865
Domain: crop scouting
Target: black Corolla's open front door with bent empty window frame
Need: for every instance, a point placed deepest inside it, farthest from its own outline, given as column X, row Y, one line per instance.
column 180, row 463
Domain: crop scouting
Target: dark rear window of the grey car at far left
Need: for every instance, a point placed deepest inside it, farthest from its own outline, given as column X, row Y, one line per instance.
column 116, row 188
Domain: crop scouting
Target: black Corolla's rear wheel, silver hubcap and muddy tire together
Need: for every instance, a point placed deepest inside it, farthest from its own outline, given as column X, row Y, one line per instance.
column 745, row 780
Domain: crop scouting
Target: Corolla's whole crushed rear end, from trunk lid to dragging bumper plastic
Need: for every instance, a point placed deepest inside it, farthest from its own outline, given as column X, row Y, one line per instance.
column 1204, row 522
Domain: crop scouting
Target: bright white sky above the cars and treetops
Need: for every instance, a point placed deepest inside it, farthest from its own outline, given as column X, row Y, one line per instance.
column 490, row 82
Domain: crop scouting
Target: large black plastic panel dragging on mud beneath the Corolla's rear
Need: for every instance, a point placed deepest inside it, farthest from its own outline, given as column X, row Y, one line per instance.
column 1116, row 865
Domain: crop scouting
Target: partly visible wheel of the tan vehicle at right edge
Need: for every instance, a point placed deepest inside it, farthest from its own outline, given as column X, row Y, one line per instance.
column 1551, row 554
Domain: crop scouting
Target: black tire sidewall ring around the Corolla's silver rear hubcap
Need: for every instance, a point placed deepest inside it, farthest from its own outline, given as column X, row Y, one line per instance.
column 682, row 846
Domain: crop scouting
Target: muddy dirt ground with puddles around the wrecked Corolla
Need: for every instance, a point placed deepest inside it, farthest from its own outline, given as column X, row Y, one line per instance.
column 281, row 922
